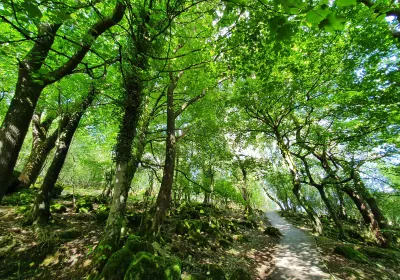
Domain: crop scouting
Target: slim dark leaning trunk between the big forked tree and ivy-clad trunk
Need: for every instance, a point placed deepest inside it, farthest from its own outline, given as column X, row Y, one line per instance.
column 41, row 210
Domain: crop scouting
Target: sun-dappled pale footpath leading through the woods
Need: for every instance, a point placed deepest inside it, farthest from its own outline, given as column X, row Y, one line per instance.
column 296, row 256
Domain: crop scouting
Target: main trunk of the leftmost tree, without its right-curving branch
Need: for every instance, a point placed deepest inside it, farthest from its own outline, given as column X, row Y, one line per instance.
column 16, row 122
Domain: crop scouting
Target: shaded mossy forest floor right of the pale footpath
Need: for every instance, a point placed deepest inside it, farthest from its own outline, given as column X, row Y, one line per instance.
column 370, row 261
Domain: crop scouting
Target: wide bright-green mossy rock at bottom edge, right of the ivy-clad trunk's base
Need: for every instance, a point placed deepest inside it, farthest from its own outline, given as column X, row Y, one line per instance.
column 149, row 267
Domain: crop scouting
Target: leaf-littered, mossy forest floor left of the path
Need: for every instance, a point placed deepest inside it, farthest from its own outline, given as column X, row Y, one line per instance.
column 197, row 234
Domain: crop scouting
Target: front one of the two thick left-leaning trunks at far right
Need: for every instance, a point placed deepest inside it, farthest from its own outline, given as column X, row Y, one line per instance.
column 367, row 214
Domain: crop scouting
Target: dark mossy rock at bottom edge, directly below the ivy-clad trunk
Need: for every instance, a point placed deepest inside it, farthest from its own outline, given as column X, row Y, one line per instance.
column 117, row 265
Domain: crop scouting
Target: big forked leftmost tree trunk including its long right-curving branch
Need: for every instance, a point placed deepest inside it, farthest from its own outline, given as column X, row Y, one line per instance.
column 28, row 89
